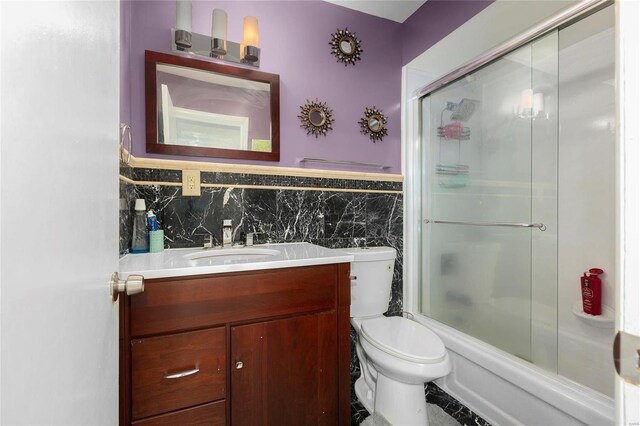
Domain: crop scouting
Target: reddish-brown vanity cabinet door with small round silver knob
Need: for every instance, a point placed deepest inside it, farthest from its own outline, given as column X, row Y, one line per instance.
column 285, row 372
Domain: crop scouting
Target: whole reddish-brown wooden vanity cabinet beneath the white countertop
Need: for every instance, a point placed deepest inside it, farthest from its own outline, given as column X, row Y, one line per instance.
column 264, row 347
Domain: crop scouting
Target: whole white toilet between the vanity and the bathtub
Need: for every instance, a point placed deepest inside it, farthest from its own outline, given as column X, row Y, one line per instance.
column 397, row 355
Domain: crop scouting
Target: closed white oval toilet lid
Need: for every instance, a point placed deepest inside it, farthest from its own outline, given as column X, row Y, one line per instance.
column 404, row 338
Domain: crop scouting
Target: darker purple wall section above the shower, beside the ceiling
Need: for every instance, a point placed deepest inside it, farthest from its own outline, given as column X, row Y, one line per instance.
column 433, row 21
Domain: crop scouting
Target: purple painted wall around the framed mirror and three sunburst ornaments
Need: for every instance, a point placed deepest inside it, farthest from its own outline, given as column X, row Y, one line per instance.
column 294, row 39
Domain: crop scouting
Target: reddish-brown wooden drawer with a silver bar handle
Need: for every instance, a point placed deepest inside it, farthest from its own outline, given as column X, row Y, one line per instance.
column 177, row 371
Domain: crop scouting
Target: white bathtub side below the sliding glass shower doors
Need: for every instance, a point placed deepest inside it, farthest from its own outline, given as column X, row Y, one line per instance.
column 505, row 390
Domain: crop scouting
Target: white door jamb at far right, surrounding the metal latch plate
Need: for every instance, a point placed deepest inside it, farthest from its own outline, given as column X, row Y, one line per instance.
column 628, row 194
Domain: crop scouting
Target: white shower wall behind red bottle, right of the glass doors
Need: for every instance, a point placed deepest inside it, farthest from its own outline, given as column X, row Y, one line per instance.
column 586, row 203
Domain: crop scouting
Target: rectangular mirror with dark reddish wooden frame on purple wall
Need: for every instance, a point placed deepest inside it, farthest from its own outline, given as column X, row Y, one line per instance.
column 206, row 109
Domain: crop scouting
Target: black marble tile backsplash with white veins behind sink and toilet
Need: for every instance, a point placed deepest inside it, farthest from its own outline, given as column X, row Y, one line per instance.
column 327, row 218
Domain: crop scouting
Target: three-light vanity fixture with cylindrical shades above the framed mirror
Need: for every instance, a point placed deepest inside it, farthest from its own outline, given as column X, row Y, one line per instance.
column 216, row 46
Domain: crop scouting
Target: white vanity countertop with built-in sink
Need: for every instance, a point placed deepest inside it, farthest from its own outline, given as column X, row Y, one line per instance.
column 180, row 262
